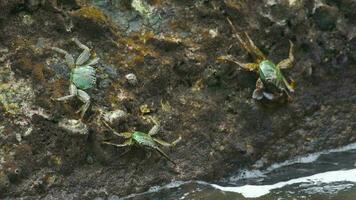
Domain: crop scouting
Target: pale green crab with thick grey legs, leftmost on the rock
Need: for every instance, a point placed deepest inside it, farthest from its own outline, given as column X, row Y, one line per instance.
column 82, row 75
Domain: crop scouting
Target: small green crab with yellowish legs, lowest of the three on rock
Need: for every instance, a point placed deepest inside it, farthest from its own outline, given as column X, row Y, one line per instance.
column 142, row 139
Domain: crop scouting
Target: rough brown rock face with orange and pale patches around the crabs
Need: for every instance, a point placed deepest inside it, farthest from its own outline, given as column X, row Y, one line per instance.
column 179, row 81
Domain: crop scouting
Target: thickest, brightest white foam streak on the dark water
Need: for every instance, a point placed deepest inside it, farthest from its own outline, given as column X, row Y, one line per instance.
column 254, row 191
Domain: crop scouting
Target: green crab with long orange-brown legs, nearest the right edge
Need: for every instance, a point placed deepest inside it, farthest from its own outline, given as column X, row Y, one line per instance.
column 271, row 83
